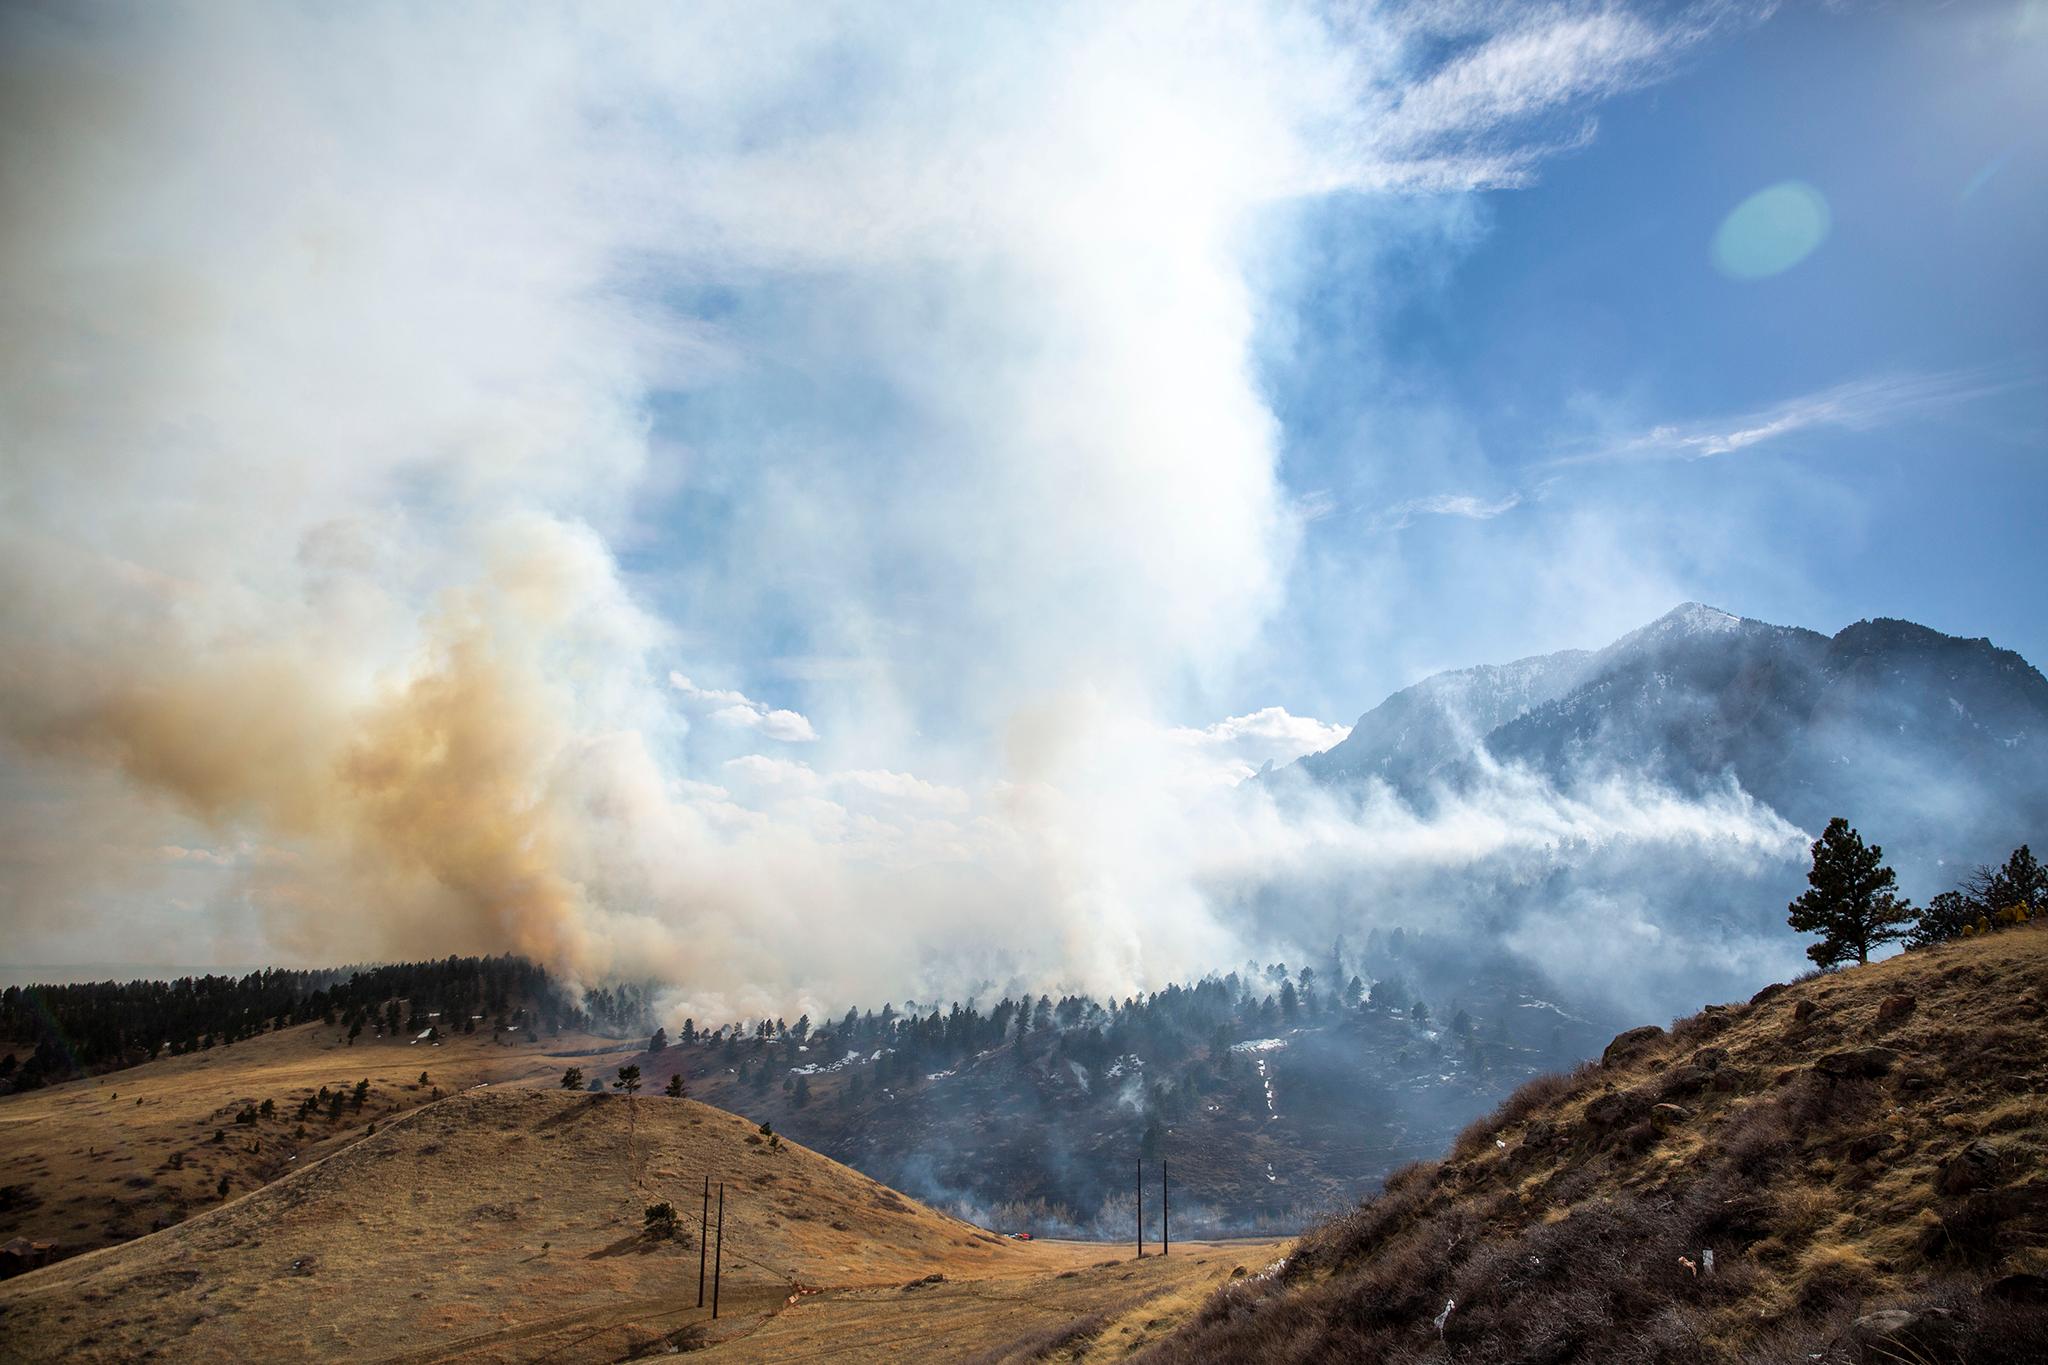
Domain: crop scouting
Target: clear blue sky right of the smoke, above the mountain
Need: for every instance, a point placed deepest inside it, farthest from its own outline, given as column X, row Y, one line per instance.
column 1508, row 328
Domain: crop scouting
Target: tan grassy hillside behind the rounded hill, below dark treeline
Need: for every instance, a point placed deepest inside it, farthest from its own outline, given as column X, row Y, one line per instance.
column 99, row 1161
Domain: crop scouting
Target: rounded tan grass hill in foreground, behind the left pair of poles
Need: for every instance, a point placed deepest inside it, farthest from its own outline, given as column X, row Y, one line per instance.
column 495, row 1225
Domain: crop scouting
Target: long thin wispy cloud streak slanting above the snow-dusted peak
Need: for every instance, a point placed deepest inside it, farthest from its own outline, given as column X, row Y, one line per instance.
column 1857, row 406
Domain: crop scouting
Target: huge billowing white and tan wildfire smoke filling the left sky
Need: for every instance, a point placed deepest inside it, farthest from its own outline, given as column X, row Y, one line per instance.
column 398, row 400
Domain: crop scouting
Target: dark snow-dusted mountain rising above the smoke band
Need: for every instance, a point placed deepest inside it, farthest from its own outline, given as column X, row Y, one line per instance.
column 1932, row 744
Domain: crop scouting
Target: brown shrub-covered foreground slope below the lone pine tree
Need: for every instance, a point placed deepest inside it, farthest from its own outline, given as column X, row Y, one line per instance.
column 1865, row 1153
